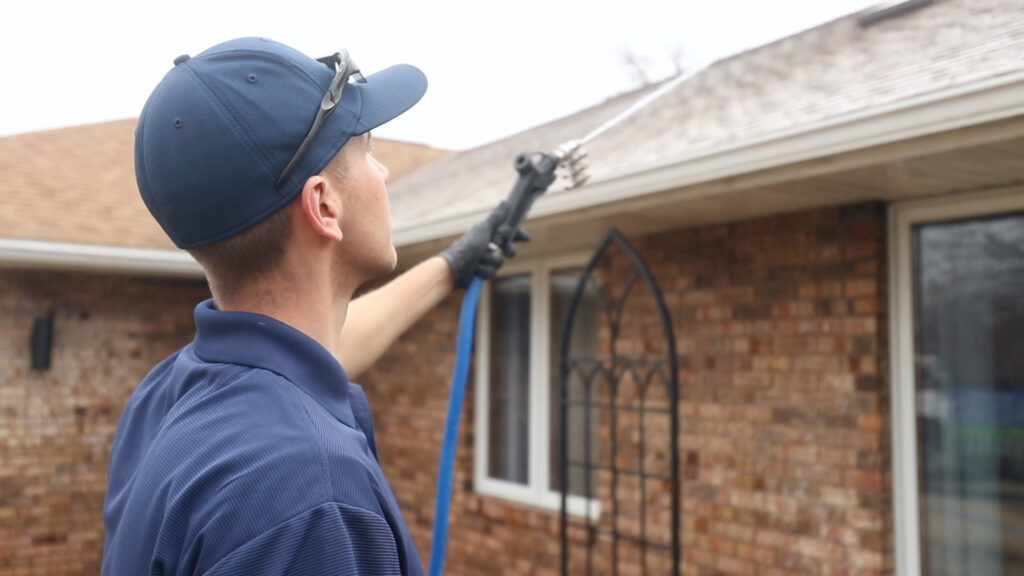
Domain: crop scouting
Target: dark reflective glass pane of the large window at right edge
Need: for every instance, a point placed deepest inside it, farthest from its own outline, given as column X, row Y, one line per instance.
column 969, row 282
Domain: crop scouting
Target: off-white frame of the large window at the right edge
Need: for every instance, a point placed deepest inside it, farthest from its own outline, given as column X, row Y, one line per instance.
column 903, row 219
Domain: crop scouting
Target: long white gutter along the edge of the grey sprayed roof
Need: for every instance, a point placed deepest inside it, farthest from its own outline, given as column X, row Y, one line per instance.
column 995, row 99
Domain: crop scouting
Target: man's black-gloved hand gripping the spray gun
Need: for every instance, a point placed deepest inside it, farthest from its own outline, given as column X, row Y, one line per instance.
column 473, row 256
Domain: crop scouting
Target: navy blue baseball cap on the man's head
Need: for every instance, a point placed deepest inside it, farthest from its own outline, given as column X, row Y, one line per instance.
column 219, row 132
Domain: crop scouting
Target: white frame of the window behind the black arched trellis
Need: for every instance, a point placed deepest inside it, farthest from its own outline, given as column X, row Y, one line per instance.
column 536, row 492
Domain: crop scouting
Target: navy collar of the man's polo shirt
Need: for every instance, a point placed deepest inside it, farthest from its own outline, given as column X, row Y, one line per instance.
column 259, row 341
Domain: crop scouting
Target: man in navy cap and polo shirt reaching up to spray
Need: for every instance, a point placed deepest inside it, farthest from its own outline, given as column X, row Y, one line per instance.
column 249, row 451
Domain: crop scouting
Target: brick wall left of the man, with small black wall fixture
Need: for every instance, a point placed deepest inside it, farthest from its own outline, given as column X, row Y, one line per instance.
column 57, row 426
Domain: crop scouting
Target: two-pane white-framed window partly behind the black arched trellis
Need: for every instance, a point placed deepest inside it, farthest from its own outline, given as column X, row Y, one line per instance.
column 521, row 323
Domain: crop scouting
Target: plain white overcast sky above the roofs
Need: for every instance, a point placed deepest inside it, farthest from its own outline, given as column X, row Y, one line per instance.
column 494, row 68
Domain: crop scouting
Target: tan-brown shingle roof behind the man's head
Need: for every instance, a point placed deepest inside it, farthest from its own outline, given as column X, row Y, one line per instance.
column 78, row 185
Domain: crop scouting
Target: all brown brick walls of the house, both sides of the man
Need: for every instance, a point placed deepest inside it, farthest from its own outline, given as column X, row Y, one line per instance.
column 781, row 341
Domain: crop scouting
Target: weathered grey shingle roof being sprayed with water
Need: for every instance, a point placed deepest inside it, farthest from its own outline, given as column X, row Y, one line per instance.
column 831, row 71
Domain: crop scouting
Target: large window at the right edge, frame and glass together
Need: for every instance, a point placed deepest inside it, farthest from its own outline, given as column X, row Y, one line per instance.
column 959, row 385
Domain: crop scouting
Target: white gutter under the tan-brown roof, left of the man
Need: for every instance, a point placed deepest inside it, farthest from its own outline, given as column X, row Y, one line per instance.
column 66, row 256
